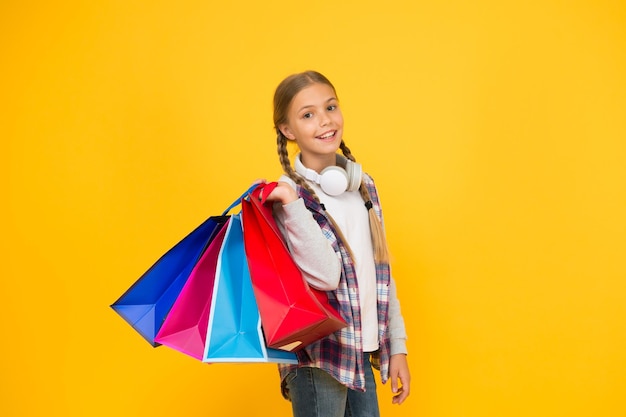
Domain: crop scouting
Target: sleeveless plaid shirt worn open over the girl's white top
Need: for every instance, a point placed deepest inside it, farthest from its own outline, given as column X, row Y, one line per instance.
column 340, row 353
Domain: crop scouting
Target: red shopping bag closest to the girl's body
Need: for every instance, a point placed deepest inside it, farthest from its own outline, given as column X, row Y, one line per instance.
column 293, row 314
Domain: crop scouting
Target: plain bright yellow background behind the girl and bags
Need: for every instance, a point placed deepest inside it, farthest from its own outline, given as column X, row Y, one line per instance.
column 496, row 132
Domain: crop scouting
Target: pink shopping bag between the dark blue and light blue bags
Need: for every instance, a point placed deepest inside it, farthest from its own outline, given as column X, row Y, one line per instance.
column 185, row 327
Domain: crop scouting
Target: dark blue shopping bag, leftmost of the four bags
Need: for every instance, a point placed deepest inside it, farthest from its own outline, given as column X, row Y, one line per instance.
column 146, row 303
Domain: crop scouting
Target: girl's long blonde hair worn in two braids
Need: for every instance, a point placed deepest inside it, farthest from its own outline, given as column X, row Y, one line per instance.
column 283, row 96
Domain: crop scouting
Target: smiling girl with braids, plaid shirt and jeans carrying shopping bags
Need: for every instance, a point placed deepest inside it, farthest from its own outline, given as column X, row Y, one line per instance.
column 329, row 213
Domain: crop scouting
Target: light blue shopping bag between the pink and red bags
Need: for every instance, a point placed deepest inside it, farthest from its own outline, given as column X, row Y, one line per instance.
column 234, row 330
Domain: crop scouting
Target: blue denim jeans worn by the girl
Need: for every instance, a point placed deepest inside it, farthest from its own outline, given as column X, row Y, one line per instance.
column 314, row 393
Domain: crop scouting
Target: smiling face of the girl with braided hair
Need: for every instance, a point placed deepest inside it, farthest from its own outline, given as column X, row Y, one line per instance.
column 315, row 122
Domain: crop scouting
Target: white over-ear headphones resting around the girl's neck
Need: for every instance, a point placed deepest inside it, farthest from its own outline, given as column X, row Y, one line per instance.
column 335, row 179
